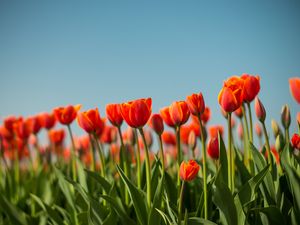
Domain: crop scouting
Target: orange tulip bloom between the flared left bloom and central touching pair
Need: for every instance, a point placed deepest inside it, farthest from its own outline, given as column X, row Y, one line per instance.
column 90, row 121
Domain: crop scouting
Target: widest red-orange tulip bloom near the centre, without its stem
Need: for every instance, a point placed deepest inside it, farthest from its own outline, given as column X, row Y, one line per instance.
column 137, row 113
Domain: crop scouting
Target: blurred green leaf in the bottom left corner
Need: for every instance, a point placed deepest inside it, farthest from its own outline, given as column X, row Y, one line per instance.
column 16, row 215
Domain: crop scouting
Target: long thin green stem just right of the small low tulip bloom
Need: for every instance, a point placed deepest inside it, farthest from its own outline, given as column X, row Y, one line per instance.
column 204, row 167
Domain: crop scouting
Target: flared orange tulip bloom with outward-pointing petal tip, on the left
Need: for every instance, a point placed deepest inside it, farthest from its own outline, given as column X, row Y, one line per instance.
column 66, row 115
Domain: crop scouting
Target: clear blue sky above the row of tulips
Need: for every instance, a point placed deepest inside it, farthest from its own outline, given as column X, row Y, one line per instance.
column 55, row 53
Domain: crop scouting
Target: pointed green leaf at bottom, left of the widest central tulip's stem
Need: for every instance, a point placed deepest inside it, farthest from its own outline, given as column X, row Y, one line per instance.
column 138, row 198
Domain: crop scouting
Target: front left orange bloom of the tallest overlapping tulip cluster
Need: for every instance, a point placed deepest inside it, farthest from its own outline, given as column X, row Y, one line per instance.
column 231, row 95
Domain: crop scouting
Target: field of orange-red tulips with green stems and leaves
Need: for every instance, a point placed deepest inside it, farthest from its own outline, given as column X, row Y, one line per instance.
column 192, row 174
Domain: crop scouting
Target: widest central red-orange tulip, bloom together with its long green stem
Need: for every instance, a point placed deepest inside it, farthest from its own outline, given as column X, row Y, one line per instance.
column 136, row 114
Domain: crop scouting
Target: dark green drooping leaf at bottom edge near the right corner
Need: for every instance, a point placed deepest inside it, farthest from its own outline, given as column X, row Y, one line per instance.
column 273, row 214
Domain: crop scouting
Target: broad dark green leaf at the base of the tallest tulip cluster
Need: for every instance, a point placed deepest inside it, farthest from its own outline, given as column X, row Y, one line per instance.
column 223, row 198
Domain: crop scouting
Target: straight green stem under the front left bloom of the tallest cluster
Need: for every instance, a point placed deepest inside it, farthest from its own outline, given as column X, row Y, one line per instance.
column 231, row 157
